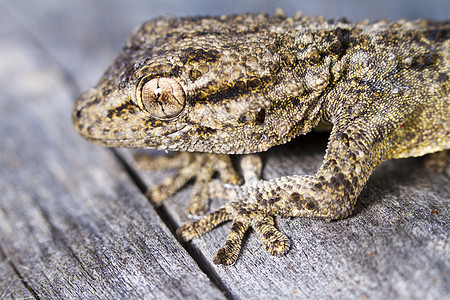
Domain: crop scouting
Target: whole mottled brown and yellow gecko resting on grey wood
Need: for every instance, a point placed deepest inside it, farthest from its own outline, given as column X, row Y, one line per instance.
column 210, row 87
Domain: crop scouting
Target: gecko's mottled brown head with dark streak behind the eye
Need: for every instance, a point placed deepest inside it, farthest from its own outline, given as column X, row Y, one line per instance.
column 200, row 85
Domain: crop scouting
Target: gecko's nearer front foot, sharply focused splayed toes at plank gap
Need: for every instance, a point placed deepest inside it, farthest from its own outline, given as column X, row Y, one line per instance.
column 275, row 242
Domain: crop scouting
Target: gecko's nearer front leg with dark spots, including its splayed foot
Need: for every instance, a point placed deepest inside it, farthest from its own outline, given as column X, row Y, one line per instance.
column 330, row 194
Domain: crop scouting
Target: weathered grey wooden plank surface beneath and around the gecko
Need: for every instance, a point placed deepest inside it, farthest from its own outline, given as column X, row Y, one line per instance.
column 74, row 223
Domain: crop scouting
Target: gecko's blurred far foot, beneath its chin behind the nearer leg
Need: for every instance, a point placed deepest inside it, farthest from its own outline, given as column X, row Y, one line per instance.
column 201, row 166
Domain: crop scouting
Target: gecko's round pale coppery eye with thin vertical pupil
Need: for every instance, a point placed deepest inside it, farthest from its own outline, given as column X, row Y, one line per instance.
column 163, row 97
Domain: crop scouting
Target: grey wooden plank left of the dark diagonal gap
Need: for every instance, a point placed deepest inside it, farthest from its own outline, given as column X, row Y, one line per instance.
column 72, row 223
